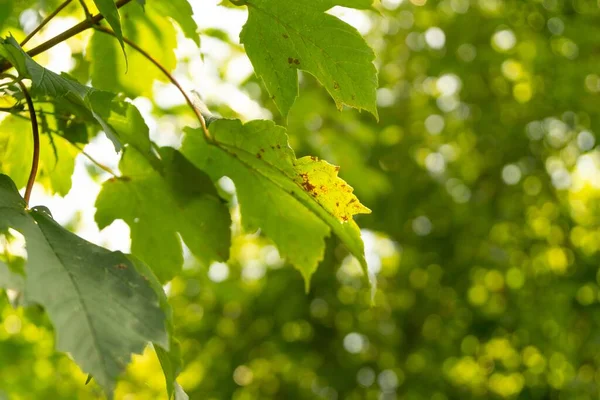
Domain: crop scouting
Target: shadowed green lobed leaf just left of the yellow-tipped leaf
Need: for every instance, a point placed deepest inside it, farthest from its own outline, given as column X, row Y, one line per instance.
column 159, row 205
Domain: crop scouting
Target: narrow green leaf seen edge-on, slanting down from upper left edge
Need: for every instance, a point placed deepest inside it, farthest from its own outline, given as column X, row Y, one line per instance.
column 120, row 120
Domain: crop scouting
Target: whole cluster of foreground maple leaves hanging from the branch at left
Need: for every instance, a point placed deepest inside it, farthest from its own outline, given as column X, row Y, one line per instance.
column 105, row 306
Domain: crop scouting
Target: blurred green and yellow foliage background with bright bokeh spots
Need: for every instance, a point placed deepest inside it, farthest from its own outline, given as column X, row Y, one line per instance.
column 484, row 180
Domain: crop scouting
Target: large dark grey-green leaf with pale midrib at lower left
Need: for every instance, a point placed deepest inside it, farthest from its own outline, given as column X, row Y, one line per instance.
column 102, row 309
